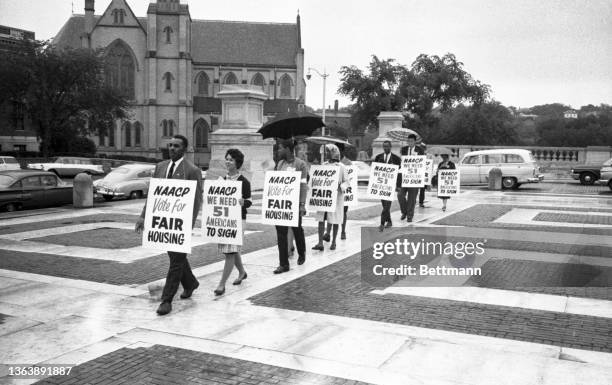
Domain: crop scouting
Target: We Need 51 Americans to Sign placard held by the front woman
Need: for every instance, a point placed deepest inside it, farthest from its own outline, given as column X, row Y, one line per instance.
column 222, row 213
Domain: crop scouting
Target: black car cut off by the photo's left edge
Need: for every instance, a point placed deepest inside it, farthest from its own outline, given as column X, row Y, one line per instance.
column 20, row 189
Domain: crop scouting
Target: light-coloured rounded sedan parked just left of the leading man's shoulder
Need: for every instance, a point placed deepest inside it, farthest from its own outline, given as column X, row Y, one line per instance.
column 130, row 180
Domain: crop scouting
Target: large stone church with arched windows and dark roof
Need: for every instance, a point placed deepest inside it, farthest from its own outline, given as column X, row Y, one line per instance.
column 172, row 67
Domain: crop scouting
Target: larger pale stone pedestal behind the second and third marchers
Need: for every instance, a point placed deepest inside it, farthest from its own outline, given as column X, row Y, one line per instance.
column 241, row 117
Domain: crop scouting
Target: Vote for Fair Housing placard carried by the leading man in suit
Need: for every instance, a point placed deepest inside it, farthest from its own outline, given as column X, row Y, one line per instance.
column 169, row 215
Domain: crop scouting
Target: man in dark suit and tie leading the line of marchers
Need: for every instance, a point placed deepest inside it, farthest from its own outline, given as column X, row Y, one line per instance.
column 179, row 271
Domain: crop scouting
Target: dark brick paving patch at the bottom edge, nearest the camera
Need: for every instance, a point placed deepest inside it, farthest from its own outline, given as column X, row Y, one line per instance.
column 165, row 365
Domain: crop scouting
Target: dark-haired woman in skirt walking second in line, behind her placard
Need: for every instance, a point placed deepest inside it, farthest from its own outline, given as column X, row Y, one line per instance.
column 233, row 161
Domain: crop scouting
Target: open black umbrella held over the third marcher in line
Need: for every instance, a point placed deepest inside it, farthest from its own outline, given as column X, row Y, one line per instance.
column 291, row 124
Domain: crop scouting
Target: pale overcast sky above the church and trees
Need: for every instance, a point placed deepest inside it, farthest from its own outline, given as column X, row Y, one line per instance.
column 529, row 52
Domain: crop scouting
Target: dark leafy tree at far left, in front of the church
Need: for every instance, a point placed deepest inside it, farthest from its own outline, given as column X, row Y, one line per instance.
column 63, row 92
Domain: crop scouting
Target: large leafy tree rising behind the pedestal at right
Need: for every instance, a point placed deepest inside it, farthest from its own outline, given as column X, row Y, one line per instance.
column 431, row 81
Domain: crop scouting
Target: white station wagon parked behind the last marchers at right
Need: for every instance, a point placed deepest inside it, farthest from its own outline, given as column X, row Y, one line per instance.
column 518, row 166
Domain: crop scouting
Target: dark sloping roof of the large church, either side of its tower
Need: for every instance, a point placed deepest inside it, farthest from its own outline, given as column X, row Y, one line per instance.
column 219, row 42
